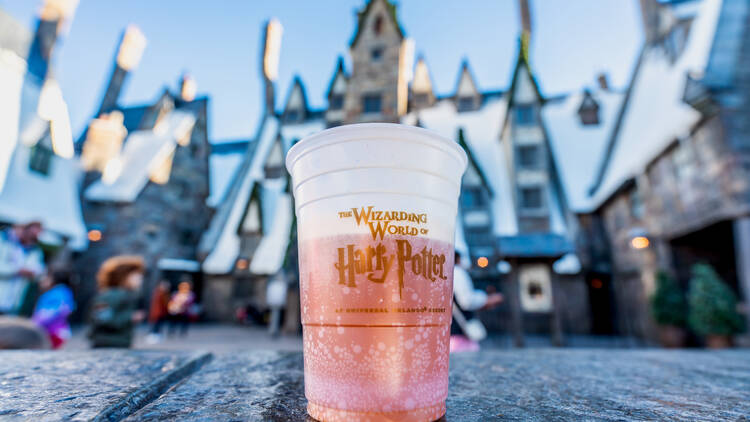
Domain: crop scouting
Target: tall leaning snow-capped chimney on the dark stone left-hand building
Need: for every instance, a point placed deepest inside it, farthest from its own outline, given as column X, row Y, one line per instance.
column 129, row 53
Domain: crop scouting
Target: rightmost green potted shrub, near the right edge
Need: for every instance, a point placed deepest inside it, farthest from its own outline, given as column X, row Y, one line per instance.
column 713, row 305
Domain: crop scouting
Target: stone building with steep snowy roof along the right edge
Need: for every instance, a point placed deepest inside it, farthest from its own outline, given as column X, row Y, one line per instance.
column 675, row 171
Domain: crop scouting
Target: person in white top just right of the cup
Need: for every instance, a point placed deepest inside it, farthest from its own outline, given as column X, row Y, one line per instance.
column 466, row 331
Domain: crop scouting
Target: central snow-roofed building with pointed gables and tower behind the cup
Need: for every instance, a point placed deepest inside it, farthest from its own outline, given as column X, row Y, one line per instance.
column 516, row 227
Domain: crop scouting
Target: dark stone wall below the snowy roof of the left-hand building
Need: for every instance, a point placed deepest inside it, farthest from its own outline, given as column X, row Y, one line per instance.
column 165, row 221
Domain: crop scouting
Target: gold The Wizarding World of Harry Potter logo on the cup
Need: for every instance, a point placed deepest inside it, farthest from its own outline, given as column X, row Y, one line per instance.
column 374, row 262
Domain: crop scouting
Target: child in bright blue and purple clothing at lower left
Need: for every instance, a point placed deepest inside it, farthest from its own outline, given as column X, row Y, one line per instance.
column 53, row 308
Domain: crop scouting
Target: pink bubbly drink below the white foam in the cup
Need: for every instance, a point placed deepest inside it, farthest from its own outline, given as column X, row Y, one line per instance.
column 390, row 353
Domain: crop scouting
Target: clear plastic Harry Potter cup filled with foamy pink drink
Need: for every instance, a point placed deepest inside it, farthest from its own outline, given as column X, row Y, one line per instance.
column 376, row 211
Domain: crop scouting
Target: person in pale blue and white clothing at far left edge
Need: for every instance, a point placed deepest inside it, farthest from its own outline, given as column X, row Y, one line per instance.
column 21, row 268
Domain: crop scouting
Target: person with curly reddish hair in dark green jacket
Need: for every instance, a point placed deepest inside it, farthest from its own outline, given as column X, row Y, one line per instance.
column 113, row 313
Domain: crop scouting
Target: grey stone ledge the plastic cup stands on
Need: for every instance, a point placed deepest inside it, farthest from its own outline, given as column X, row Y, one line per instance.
column 515, row 385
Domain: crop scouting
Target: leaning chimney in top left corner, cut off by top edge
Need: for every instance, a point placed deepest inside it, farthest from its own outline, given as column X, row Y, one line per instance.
column 51, row 17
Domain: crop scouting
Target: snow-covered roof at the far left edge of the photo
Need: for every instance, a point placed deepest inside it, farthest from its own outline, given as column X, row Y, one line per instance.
column 25, row 195
